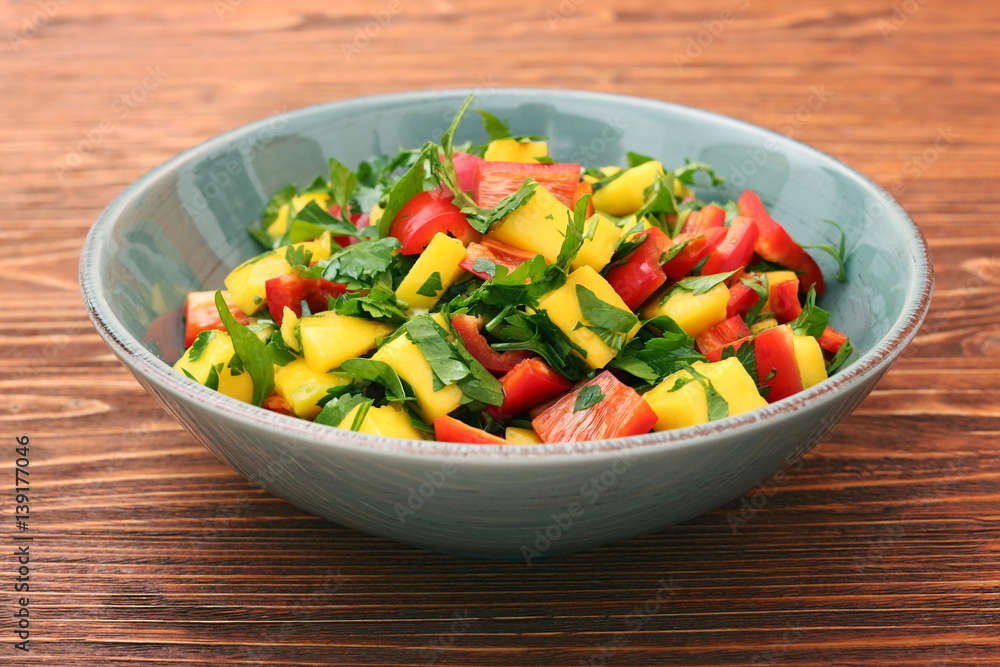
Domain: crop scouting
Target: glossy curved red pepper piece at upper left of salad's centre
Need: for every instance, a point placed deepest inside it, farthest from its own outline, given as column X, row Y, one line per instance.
column 426, row 214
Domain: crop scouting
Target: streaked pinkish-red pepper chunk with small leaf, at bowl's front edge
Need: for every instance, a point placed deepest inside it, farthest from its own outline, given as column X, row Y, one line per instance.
column 621, row 412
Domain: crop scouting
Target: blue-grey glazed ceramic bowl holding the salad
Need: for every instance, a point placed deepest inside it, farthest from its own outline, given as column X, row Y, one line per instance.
column 182, row 227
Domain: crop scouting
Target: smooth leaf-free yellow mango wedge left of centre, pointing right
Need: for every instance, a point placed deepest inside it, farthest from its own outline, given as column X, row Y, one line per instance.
column 329, row 339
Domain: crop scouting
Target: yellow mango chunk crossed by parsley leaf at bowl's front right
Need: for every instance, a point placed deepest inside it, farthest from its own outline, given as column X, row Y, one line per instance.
column 688, row 405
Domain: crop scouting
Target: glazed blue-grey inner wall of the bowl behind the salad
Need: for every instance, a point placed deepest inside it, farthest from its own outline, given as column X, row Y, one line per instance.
column 183, row 226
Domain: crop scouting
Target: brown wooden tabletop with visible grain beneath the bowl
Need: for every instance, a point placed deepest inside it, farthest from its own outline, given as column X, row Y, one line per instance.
column 881, row 549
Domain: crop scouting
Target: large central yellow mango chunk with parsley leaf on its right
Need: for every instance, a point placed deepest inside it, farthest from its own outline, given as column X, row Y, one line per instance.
column 563, row 309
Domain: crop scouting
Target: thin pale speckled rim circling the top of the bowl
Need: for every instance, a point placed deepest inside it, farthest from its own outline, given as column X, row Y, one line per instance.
column 141, row 361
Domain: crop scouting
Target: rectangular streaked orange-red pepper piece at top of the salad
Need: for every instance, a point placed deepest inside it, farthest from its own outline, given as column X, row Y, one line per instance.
column 496, row 180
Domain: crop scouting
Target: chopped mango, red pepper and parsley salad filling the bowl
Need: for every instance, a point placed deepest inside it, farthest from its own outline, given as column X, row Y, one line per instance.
column 491, row 294
